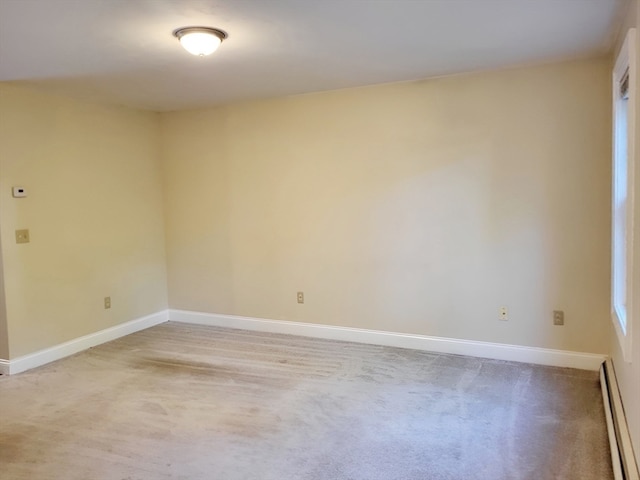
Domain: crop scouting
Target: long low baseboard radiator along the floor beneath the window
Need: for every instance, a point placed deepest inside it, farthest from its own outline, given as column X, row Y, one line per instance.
column 624, row 463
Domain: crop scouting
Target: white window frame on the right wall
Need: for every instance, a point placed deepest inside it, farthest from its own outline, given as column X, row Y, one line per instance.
column 622, row 318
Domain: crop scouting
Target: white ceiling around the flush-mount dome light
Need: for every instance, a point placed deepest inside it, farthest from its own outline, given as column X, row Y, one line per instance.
column 122, row 51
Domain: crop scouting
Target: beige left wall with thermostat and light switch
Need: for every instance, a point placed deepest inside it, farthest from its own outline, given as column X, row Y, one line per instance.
column 94, row 211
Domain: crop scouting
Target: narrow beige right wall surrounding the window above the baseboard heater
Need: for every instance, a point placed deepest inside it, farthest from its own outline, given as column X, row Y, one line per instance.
column 628, row 373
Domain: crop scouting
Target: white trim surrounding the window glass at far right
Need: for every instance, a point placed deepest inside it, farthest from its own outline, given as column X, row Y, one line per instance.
column 626, row 61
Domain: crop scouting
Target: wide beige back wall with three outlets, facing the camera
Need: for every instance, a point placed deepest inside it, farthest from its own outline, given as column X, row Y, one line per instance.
column 419, row 207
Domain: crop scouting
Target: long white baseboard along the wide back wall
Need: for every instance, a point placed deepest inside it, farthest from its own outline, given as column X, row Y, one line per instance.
column 499, row 351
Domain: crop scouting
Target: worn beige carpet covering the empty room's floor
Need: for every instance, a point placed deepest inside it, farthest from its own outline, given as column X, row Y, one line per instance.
column 191, row 402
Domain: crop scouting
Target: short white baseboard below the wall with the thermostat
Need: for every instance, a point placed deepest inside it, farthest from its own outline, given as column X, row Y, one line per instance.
column 42, row 357
